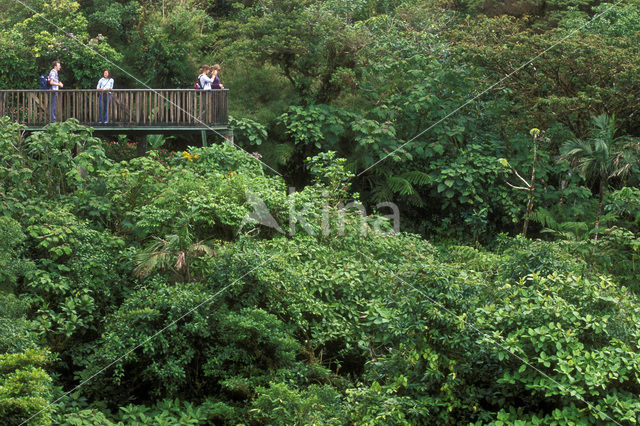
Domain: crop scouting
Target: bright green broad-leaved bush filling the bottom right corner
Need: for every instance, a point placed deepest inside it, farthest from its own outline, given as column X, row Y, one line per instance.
column 580, row 333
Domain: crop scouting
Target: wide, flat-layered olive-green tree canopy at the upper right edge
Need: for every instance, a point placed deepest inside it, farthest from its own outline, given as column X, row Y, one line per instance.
column 550, row 90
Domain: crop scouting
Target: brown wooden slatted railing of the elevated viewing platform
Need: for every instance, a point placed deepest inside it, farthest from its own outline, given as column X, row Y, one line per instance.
column 126, row 107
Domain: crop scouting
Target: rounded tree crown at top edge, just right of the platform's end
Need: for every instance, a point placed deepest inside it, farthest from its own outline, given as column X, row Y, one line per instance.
column 311, row 47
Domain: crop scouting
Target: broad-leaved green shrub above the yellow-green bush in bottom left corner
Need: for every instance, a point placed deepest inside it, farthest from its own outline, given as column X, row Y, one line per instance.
column 77, row 279
